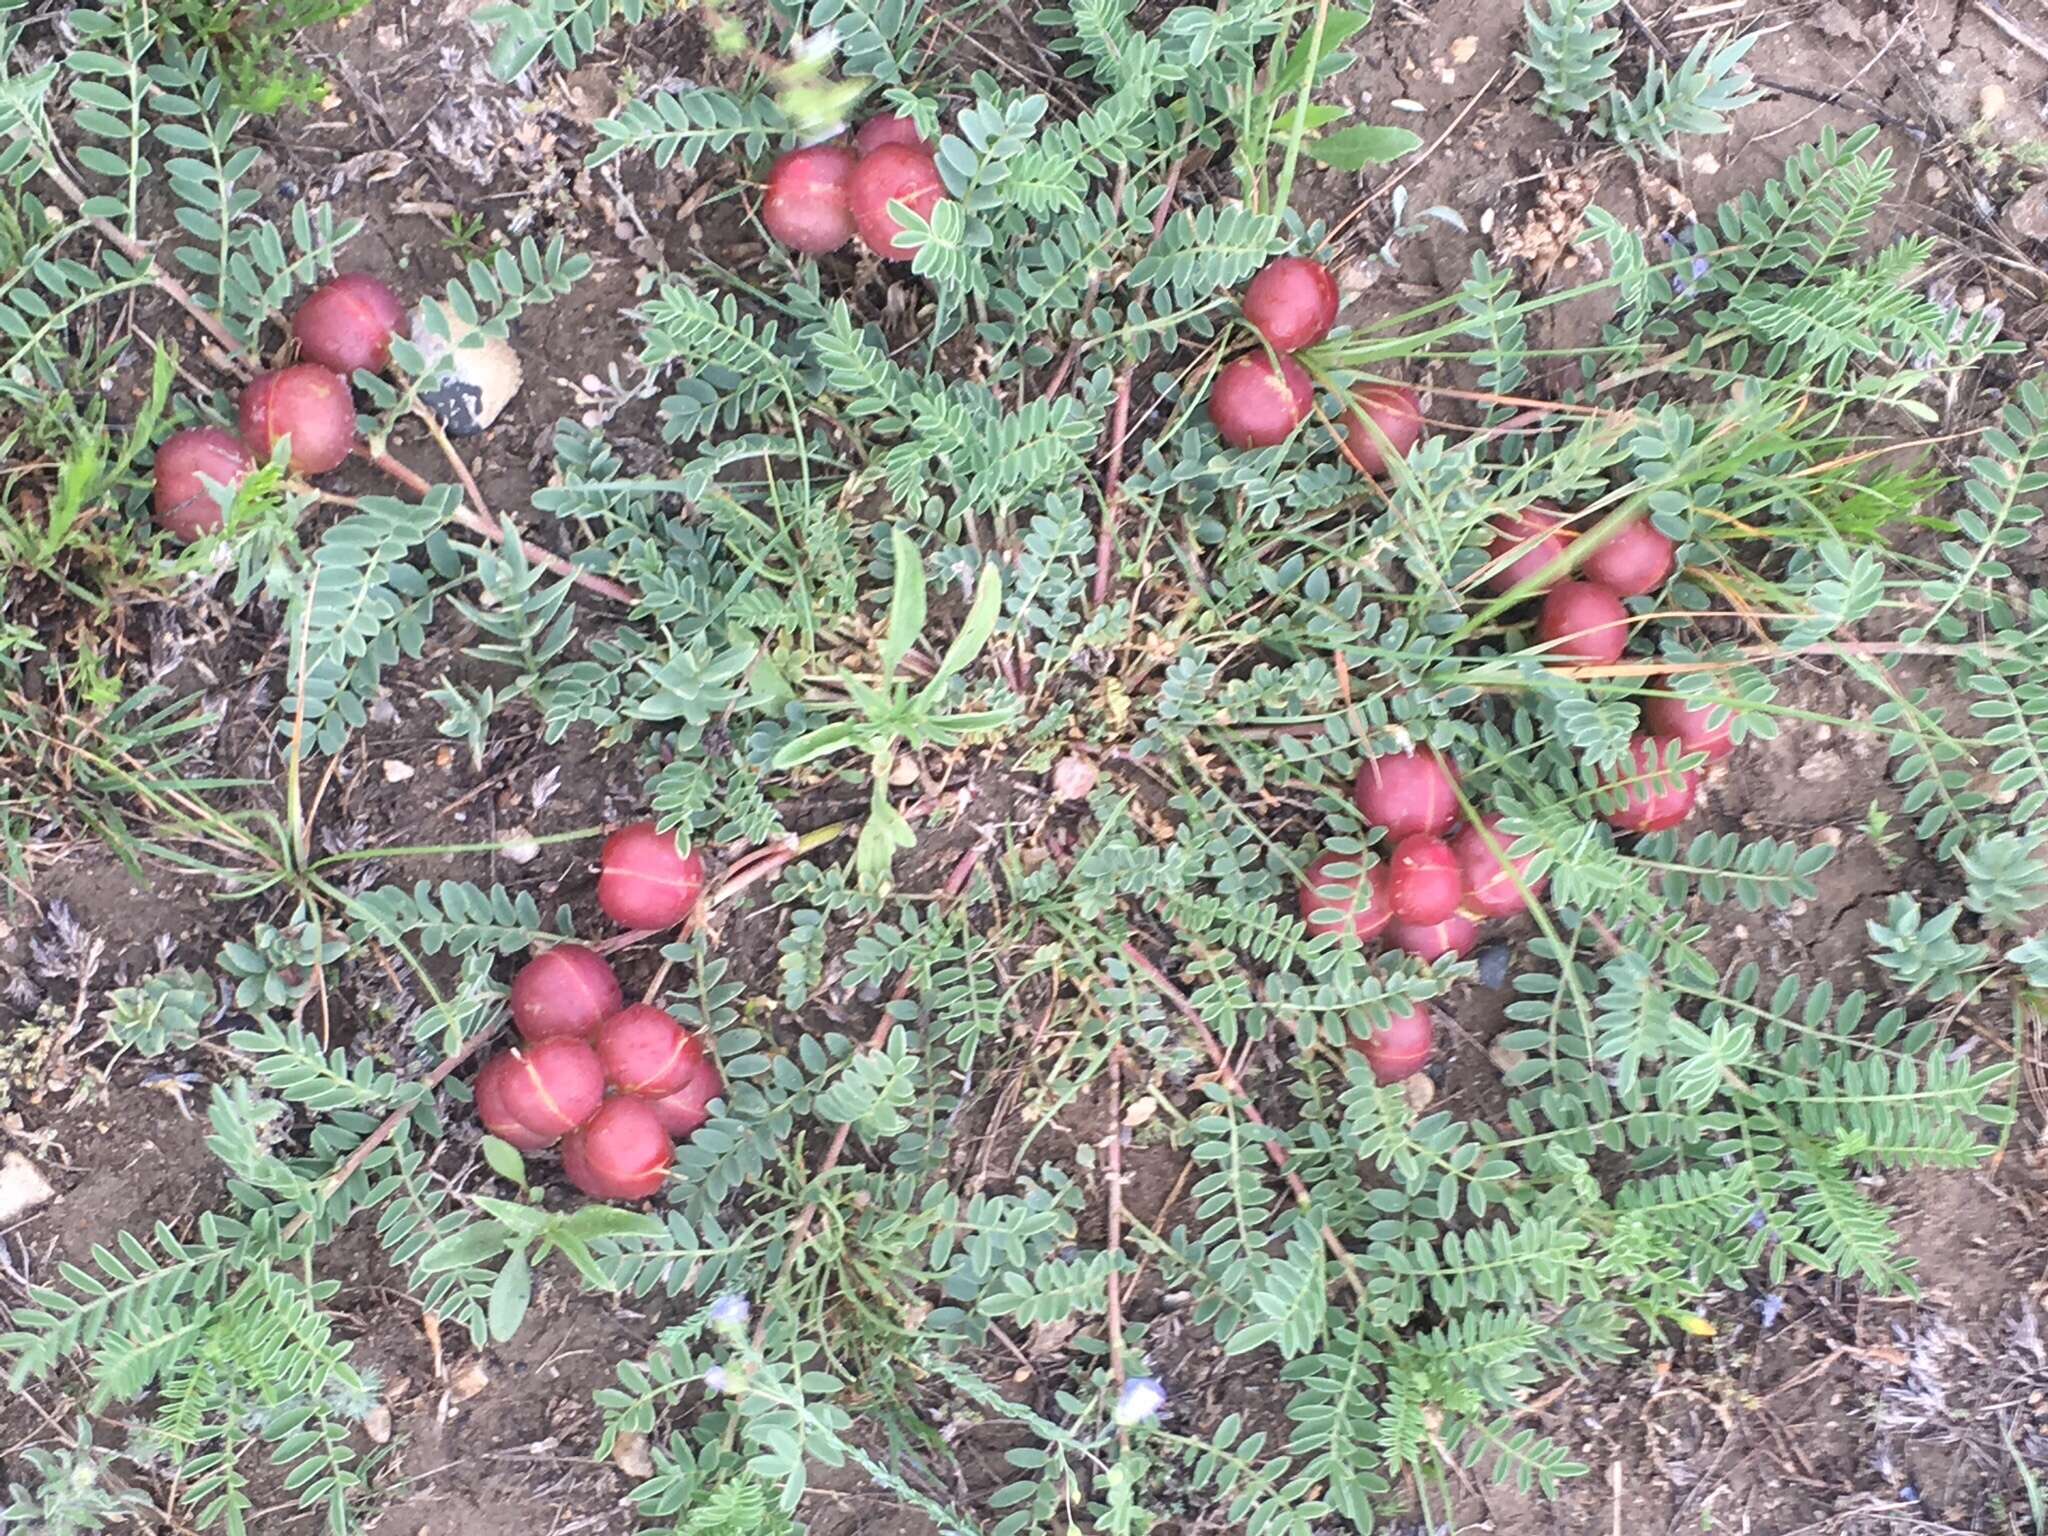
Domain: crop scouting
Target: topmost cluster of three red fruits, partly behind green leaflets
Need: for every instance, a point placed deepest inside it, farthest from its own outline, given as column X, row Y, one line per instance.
column 822, row 196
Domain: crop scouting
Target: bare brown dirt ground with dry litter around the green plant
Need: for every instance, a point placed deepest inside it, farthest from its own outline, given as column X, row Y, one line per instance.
column 1811, row 1410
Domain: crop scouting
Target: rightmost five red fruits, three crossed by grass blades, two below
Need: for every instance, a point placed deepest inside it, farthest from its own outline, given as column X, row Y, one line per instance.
column 1584, row 620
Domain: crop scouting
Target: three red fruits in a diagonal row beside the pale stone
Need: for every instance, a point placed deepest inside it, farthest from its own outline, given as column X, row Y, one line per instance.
column 345, row 325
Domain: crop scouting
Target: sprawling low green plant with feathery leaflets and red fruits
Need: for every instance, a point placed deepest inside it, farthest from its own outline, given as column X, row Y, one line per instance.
column 1127, row 615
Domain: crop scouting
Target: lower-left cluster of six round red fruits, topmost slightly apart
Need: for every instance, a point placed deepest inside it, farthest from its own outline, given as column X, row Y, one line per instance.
column 615, row 1084
